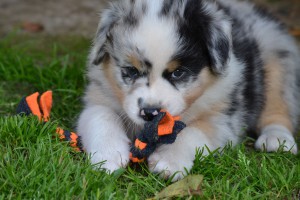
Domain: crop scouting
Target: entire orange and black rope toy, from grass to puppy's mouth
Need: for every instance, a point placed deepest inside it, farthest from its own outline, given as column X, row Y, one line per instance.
column 163, row 129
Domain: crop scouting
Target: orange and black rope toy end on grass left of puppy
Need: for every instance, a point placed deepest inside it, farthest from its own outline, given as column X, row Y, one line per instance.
column 42, row 109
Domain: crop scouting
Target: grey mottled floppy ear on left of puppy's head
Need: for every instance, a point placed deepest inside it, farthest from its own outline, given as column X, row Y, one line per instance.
column 103, row 35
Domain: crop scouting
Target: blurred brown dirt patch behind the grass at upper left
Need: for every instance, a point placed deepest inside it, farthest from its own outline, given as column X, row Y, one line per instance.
column 78, row 17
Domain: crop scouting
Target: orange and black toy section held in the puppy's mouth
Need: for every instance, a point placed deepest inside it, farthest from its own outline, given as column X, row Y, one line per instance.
column 163, row 129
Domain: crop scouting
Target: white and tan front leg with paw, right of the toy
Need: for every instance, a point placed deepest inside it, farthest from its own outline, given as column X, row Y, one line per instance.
column 178, row 158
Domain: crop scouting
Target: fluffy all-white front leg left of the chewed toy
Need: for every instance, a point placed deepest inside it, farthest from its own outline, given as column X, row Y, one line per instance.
column 103, row 138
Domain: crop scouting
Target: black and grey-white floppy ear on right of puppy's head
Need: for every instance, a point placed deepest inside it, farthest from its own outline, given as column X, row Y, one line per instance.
column 210, row 28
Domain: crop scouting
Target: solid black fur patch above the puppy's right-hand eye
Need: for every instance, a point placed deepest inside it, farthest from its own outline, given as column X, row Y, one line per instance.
column 194, row 32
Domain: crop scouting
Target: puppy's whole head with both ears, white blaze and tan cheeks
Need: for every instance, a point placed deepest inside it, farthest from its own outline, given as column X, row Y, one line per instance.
column 161, row 54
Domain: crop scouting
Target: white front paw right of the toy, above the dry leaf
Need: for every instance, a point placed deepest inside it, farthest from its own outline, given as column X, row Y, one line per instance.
column 170, row 162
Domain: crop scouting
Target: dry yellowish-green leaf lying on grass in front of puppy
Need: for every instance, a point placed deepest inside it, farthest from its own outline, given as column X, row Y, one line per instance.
column 189, row 186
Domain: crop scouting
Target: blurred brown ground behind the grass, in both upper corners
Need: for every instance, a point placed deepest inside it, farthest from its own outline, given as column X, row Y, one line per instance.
column 80, row 17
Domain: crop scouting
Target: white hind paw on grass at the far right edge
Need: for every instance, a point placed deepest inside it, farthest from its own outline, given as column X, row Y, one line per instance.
column 276, row 137
